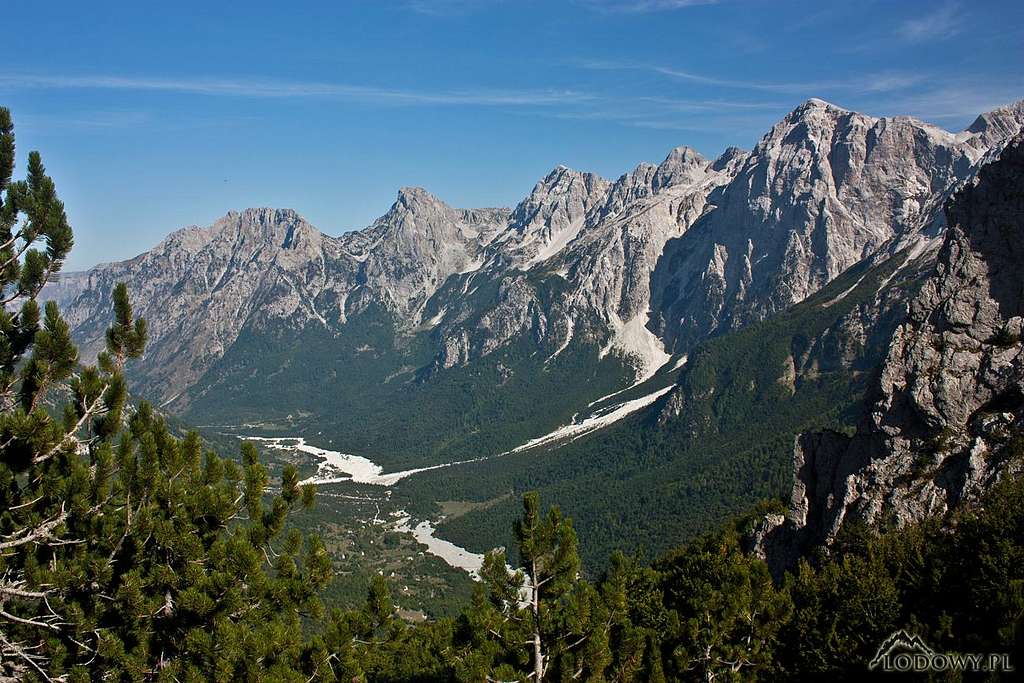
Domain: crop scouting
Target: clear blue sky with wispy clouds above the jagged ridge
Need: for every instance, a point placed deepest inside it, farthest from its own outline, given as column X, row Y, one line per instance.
column 153, row 116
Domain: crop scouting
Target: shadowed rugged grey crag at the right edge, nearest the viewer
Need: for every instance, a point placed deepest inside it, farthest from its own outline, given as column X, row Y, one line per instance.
column 951, row 392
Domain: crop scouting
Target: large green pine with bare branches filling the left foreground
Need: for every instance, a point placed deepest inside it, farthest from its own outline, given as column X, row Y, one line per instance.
column 126, row 553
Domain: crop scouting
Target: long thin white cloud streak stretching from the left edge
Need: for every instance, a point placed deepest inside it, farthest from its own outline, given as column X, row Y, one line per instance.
column 281, row 90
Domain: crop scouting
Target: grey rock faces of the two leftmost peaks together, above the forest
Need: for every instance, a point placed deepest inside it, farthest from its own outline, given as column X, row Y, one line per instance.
column 270, row 270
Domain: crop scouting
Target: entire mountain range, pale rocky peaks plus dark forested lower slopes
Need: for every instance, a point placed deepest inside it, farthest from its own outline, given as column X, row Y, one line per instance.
column 737, row 303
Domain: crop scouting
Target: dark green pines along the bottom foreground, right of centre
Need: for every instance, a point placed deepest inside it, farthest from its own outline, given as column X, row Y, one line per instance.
column 711, row 612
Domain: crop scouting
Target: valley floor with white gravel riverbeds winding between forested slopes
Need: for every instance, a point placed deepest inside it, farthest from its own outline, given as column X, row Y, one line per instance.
column 368, row 530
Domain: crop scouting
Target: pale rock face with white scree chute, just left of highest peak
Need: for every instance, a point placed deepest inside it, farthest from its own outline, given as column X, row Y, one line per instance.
column 609, row 238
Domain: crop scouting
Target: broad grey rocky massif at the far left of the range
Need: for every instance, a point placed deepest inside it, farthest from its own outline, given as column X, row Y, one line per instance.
column 205, row 284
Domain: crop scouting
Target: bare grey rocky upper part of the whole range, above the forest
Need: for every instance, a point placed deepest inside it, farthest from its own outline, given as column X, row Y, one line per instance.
column 622, row 274
